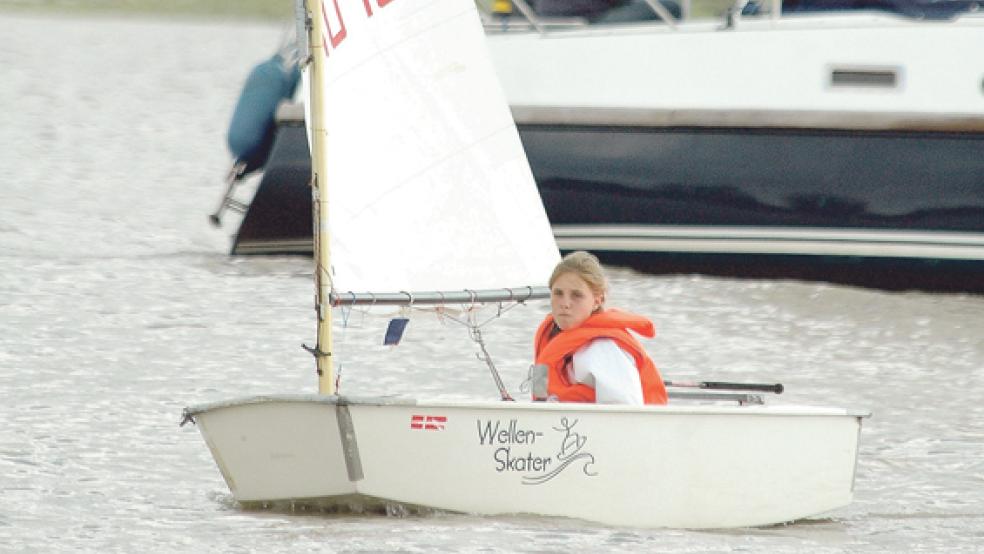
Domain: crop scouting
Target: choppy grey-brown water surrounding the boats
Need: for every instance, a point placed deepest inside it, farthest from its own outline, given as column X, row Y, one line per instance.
column 119, row 306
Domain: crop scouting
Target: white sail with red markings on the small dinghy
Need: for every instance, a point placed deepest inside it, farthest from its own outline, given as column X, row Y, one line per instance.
column 429, row 188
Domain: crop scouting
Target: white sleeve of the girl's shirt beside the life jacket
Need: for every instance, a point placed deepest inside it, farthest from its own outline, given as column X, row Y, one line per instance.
column 602, row 364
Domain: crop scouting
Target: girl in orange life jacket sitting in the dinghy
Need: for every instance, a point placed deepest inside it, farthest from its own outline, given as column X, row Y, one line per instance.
column 588, row 350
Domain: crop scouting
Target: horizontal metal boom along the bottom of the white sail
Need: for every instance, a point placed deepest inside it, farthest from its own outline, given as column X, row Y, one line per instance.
column 432, row 298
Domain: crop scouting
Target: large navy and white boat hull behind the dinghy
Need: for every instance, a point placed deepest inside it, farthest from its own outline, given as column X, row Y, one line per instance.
column 786, row 139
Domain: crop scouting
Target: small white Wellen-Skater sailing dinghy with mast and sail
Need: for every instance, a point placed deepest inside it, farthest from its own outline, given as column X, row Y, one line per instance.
column 409, row 125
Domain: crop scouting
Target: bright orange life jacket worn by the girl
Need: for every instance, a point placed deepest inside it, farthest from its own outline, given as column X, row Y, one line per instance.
column 611, row 324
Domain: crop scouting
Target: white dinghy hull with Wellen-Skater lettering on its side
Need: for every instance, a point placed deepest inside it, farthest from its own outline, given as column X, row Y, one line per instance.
column 698, row 466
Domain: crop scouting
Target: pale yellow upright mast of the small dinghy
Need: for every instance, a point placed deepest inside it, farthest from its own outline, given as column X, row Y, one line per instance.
column 322, row 277
